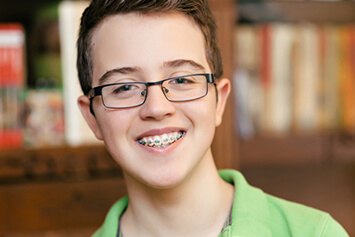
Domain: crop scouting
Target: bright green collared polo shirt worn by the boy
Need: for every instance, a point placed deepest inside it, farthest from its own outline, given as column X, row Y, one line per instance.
column 254, row 214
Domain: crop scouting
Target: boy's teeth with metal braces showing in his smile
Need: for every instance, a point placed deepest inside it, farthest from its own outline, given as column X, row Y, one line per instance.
column 162, row 140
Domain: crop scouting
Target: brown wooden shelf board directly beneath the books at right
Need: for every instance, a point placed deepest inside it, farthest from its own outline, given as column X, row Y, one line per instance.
column 297, row 150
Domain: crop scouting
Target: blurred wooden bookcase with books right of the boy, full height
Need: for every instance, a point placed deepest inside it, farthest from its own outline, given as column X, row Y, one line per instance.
column 295, row 106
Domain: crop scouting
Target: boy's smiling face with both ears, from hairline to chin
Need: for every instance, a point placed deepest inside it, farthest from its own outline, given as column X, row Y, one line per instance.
column 150, row 48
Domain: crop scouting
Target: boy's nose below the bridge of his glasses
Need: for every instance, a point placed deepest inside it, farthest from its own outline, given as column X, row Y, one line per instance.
column 156, row 106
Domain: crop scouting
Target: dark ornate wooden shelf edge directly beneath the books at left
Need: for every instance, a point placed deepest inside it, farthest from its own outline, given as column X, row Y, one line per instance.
column 56, row 163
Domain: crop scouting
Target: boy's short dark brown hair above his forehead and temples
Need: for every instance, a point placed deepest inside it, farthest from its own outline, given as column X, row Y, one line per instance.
column 197, row 10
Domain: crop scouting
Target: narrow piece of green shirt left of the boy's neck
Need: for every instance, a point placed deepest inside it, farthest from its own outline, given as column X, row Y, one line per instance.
column 110, row 225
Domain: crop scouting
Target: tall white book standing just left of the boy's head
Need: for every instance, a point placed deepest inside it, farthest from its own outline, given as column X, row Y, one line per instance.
column 77, row 132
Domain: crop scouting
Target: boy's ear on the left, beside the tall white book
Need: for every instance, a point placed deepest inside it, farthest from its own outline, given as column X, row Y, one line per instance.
column 84, row 106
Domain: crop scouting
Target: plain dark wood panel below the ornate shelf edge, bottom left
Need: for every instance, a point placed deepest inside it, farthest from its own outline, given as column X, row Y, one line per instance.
column 57, row 206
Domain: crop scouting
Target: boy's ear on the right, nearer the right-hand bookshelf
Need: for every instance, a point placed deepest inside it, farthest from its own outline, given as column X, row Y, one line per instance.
column 223, row 90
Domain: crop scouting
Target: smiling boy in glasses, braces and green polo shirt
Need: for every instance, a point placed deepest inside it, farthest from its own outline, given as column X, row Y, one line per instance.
column 151, row 76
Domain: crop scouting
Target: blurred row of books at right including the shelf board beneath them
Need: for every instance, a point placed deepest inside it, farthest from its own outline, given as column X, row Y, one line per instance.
column 270, row 79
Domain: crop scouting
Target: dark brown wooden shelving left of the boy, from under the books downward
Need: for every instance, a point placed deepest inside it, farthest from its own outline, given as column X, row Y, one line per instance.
column 56, row 190
